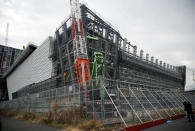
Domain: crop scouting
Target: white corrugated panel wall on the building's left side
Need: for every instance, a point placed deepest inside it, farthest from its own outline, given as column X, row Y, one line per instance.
column 37, row 67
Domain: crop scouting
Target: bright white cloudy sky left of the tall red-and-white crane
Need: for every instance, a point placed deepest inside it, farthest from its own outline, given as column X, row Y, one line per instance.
column 30, row 20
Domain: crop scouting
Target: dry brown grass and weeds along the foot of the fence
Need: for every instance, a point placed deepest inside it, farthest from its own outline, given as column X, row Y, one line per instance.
column 72, row 119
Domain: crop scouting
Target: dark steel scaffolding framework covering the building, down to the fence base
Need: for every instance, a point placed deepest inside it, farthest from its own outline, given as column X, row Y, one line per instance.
column 136, row 89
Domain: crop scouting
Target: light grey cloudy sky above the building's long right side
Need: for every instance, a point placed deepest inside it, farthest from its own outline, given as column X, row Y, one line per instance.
column 163, row 28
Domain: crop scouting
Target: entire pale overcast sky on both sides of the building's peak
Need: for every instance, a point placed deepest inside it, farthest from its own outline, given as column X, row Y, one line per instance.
column 162, row 28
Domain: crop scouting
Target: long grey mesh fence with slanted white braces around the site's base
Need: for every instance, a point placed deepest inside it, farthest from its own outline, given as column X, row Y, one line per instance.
column 112, row 103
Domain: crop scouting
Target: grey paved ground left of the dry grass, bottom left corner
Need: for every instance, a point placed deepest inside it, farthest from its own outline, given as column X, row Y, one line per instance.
column 21, row 125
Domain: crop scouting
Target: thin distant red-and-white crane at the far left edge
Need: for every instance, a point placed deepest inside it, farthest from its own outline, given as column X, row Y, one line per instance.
column 3, row 69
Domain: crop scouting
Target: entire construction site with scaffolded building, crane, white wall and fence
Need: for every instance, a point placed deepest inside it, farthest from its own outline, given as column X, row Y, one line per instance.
column 89, row 63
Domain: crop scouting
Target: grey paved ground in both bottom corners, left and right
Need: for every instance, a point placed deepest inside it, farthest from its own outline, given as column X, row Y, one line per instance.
column 21, row 125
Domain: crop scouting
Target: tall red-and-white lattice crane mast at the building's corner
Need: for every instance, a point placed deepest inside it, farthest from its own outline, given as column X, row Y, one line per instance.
column 79, row 44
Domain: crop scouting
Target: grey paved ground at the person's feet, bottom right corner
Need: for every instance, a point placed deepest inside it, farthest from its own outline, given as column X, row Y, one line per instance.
column 178, row 125
